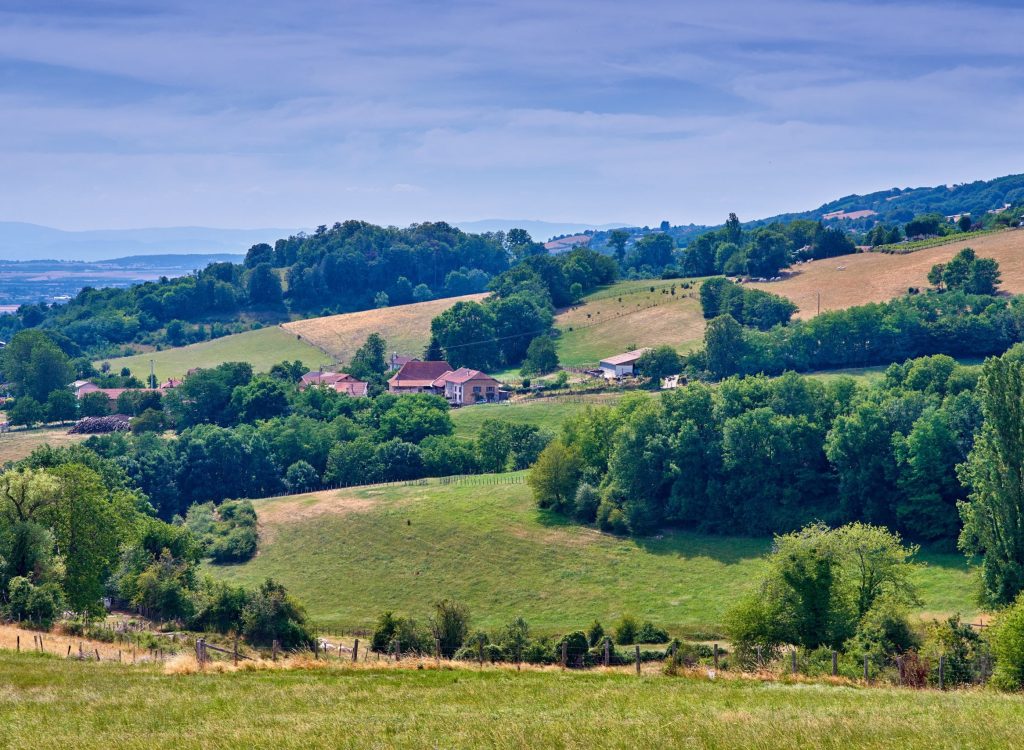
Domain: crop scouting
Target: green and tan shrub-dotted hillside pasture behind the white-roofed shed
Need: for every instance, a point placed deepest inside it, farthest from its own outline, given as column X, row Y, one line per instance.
column 604, row 326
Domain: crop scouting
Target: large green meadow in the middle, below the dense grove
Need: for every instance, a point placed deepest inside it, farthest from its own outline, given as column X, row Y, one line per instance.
column 351, row 555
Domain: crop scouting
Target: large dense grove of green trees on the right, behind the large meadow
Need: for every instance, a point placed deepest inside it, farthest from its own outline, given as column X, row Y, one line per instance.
column 758, row 455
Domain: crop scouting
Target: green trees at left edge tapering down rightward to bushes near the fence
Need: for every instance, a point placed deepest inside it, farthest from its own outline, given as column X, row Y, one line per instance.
column 73, row 530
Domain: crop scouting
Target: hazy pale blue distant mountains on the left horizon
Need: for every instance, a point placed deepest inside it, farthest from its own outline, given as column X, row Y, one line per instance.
column 20, row 241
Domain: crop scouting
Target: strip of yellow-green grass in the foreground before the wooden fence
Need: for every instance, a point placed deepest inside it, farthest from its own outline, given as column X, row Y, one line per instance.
column 53, row 703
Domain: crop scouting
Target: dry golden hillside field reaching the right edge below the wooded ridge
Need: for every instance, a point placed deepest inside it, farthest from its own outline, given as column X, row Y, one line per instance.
column 877, row 277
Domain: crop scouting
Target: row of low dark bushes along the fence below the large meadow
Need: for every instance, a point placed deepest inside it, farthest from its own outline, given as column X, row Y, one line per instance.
column 448, row 632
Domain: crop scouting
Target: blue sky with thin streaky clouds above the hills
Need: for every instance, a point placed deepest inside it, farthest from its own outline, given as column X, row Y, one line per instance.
column 119, row 114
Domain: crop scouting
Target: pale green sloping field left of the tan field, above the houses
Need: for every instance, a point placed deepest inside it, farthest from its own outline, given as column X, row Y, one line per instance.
column 262, row 349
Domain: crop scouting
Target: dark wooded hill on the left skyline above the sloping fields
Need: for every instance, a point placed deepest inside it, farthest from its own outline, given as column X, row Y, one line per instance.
column 349, row 267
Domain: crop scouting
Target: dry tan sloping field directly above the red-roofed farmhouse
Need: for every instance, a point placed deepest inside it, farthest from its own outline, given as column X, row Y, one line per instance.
column 406, row 328
